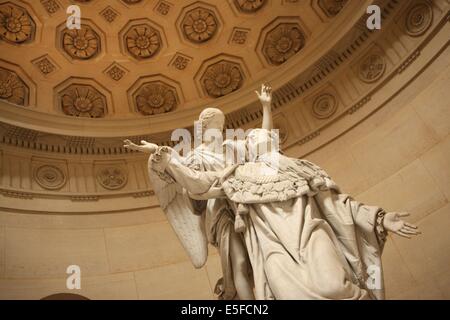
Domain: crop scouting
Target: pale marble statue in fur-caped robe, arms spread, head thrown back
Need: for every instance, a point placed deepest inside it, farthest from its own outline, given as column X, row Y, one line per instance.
column 304, row 238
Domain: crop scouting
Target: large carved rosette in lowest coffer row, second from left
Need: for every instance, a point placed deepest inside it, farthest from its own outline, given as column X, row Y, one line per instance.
column 83, row 101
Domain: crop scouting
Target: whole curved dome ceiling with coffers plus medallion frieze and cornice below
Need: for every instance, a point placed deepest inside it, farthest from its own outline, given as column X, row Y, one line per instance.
column 139, row 69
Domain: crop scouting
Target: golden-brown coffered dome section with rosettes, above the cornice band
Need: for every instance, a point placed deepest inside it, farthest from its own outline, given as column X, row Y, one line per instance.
column 149, row 65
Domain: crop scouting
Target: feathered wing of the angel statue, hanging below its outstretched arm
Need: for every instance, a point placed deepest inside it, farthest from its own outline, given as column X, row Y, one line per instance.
column 180, row 213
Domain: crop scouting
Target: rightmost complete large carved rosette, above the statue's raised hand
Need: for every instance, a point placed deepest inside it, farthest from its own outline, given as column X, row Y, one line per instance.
column 281, row 43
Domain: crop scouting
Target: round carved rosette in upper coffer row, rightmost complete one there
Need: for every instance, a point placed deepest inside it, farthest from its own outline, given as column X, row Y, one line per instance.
column 199, row 25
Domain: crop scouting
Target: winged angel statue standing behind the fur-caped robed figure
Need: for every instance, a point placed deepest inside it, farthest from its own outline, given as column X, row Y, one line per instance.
column 199, row 221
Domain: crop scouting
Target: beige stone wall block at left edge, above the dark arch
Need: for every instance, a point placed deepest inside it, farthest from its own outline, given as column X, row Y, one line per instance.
column 46, row 253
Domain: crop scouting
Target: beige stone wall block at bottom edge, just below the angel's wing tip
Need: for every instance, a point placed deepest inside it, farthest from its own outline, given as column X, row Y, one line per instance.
column 174, row 281
